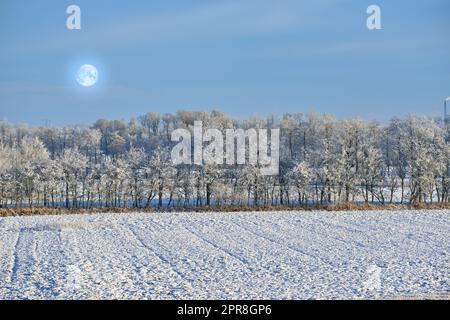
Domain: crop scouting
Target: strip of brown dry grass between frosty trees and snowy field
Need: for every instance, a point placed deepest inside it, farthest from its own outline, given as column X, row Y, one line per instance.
column 332, row 207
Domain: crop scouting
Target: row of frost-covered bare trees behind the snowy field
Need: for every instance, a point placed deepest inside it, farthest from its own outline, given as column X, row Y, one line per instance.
column 127, row 164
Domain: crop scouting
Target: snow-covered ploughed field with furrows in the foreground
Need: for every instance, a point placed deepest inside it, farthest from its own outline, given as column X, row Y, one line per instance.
column 294, row 255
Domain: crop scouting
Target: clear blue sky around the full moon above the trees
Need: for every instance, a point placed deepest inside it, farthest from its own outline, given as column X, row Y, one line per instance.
column 242, row 57
